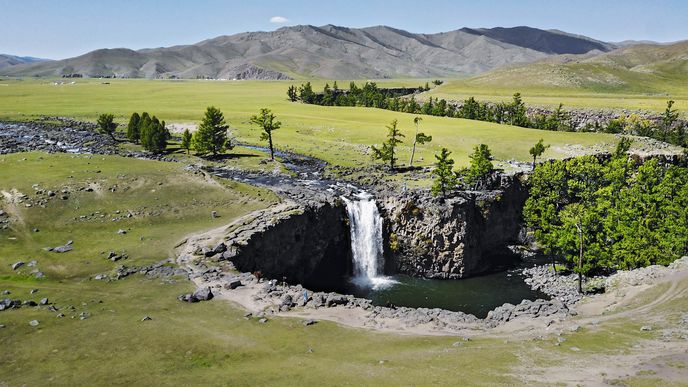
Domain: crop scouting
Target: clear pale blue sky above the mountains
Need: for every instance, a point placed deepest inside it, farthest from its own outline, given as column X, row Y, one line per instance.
column 61, row 29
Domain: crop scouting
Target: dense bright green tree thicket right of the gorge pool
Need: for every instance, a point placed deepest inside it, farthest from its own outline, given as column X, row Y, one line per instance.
column 600, row 215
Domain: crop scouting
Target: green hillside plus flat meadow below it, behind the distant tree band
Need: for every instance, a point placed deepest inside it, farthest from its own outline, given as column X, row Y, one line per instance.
column 638, row 77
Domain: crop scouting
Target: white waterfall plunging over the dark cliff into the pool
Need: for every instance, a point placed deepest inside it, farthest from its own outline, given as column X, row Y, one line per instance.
column 365, row 224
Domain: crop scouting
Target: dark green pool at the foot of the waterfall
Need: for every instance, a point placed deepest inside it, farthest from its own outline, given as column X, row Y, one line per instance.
column 476, row 295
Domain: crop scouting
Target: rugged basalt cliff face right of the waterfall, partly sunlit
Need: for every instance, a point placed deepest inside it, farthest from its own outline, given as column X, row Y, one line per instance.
column 454, row 238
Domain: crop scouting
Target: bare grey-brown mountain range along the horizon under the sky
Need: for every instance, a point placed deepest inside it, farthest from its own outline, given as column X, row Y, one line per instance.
column 326, row 52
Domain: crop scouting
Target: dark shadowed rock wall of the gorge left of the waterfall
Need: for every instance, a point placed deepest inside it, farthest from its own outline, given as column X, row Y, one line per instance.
column 310, row 247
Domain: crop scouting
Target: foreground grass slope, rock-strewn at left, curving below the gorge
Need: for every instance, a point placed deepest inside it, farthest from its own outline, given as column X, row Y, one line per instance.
column 208, row 343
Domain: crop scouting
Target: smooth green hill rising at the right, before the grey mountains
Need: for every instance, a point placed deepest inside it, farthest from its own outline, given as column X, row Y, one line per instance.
column 644, row 68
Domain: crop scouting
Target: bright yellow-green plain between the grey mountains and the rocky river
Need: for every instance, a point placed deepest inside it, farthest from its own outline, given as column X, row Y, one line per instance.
column 339, row 135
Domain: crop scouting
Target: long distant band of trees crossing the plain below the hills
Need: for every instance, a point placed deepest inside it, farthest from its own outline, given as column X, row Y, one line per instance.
column 669, row 128
